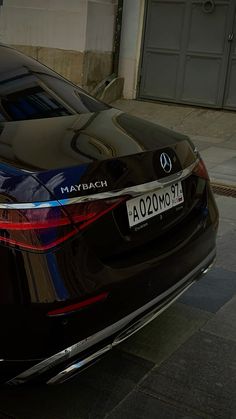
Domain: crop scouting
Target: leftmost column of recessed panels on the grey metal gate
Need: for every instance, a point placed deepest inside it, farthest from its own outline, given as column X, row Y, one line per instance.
column 162, row 49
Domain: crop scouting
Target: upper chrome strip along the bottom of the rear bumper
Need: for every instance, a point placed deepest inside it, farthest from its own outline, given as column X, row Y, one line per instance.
column 81, row 346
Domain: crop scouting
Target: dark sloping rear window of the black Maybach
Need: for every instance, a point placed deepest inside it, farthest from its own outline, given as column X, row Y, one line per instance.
column 29, row 90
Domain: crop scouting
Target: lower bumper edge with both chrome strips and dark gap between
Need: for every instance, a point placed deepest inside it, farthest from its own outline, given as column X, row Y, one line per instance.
column 62, row 365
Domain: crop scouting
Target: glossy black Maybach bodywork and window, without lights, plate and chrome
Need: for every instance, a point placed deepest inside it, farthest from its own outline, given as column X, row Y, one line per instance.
column 78, row 140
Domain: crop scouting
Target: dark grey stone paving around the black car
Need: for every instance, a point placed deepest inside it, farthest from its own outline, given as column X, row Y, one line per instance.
column 182, row 365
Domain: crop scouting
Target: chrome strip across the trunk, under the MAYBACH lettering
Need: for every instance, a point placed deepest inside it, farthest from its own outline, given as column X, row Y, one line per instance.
column 132, row 190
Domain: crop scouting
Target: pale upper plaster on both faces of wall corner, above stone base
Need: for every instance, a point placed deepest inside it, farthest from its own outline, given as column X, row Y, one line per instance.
column 76, row 25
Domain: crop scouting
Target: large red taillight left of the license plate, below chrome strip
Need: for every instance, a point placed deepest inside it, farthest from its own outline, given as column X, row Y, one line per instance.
column 41, row 228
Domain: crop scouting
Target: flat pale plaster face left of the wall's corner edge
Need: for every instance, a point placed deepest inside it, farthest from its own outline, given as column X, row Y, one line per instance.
column 54, row 23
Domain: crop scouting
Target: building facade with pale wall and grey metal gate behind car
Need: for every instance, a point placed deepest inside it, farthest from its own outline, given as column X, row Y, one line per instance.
column 179, row 51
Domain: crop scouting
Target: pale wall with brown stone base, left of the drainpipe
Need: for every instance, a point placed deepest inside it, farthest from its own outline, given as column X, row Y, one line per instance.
column 74, row 37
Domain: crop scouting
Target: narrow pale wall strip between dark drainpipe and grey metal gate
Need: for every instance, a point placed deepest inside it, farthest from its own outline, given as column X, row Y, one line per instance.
column 131, row 38
